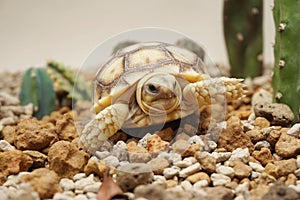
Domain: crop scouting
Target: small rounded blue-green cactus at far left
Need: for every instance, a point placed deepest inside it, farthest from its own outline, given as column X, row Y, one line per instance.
column 37, row 88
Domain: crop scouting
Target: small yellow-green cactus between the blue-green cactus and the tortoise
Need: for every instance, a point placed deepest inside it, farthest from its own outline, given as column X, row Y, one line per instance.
column 64, row 80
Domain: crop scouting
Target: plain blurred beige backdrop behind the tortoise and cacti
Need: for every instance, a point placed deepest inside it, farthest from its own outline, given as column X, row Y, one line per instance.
column 33, row 31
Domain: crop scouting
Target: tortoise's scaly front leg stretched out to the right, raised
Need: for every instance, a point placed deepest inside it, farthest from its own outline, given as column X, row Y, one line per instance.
column 215, row 90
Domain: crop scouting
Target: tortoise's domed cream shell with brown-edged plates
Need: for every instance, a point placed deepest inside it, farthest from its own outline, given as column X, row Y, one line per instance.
column 129, row 65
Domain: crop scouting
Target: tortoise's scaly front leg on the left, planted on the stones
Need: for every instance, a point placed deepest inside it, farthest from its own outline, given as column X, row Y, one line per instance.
column 104, row 125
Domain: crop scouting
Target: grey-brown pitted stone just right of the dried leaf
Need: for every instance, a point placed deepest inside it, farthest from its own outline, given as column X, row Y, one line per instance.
column 134, row 174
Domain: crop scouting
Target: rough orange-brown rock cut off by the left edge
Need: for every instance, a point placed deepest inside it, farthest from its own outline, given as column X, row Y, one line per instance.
column 13, row 162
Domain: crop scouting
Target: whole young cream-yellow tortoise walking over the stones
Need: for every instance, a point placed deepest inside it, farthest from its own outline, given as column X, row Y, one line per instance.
column 152, row 83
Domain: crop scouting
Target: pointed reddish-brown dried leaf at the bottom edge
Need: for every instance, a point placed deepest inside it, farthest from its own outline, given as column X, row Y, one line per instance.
column 109, row 190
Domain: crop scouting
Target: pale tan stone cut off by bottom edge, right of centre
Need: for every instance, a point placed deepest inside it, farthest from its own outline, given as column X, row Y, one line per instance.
column 220, row 193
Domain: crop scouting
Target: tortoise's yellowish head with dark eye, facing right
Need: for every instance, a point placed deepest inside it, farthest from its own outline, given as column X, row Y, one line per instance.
column 158, row 93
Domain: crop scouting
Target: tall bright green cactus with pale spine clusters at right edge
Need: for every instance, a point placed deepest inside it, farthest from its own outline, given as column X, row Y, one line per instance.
column 286, row 78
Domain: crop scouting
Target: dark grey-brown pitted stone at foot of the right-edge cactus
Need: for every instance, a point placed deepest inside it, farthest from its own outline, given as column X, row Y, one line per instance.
column 277, row 113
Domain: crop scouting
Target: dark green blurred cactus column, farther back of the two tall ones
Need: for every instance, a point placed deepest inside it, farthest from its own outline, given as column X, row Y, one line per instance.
column 242, row 21
